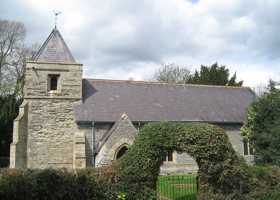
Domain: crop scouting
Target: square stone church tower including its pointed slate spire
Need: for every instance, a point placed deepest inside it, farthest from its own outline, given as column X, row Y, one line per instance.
column 44, row 130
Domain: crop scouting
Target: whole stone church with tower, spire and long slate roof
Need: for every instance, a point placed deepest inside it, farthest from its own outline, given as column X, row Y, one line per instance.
column 70, row 122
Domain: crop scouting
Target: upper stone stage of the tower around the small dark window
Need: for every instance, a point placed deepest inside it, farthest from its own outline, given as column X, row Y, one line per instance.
column 69, row 82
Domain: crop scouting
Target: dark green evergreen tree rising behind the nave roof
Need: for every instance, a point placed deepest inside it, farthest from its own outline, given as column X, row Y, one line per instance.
column 214, row 75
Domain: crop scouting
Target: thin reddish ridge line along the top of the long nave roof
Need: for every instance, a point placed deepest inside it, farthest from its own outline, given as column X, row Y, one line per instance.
column 163, row 83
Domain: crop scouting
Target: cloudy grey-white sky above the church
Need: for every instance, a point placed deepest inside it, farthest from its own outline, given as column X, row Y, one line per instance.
column 122, row 39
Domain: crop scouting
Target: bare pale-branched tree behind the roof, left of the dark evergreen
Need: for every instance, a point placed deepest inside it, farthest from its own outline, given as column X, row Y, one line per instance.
column 172, row 73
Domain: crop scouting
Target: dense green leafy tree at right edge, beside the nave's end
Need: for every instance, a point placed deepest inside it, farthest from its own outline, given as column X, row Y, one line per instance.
column 262, row 126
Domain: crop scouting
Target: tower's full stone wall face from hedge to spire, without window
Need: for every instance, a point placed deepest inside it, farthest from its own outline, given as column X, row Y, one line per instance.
column 51, row 123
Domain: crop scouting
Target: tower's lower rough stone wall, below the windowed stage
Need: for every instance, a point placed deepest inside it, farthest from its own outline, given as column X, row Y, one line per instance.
column 51, row 133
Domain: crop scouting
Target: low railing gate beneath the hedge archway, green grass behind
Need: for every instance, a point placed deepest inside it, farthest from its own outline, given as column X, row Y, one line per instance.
column 177, row 187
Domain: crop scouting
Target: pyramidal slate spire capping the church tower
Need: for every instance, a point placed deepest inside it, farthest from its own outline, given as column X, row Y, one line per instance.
column 54, row 50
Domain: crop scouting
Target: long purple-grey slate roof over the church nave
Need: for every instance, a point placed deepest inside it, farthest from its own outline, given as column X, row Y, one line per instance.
column 106, row 100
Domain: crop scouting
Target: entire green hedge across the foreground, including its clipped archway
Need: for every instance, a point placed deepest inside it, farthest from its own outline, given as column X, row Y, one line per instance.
column 222, row 174
